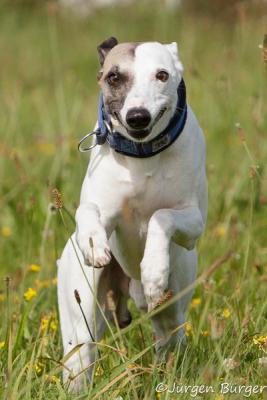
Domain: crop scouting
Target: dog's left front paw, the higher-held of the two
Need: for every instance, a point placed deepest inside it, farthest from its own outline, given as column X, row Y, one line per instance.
column 95, row 249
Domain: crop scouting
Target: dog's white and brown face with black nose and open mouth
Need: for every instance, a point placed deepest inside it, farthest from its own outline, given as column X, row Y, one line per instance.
column 139, row 83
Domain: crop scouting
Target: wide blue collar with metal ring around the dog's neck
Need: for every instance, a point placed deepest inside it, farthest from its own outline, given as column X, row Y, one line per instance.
column 131, row 148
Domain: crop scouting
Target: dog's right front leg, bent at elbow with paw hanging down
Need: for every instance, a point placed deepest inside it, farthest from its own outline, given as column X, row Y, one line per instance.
column 183, row 227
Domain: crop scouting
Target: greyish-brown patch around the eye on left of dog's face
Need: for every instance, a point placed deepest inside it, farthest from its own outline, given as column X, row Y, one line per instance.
column 116, row 77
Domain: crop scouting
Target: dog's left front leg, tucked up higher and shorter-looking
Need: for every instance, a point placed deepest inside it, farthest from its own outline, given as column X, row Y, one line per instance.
column 95, row 227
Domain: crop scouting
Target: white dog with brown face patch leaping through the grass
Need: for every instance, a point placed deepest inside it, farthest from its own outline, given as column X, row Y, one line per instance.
column 143, row 203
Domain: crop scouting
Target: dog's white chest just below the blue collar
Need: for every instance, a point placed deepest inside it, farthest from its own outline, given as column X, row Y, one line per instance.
column 133, row 189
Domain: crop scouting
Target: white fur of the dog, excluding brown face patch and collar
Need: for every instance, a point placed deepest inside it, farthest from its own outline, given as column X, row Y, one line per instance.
column 148, row 212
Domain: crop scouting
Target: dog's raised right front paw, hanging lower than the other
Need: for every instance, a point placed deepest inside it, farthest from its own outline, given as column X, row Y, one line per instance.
column 154, row 276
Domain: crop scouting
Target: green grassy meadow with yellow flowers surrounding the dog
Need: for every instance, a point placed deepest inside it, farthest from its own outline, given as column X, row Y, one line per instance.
column 48, row 102
